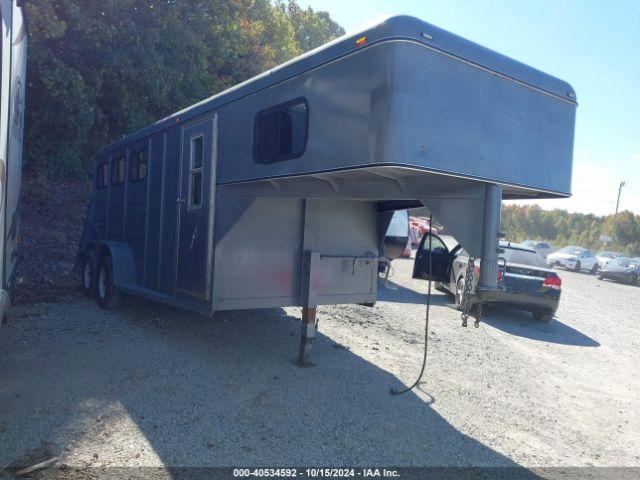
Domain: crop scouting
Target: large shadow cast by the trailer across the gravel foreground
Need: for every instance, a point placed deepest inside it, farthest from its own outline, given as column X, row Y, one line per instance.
column 213, row 392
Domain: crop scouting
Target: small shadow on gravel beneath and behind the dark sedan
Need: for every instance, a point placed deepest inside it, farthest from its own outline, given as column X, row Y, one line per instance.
column 521, row 324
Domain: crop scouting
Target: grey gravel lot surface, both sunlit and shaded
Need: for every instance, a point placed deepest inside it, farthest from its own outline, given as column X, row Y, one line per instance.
column 150, row 385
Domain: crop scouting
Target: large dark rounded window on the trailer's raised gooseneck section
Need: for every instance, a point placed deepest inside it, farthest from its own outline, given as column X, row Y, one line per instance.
column 280, row 132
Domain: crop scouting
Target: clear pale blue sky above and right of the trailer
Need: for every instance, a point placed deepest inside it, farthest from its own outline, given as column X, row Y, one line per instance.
column 593, row 45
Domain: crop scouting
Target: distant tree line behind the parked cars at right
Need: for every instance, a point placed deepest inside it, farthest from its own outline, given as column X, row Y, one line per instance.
column 563, row 228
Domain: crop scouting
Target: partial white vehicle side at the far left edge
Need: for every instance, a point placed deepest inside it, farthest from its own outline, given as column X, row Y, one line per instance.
column 13, row 48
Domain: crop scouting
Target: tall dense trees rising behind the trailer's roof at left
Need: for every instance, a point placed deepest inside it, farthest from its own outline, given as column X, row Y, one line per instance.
column 99, row 69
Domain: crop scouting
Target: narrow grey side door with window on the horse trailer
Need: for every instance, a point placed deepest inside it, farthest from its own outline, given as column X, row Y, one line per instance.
column 195, row 212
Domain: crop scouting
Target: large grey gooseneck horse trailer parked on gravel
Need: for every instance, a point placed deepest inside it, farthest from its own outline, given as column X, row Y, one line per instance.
column 278, row 192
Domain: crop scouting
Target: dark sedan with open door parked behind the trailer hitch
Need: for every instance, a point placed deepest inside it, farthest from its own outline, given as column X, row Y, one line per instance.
column 524, row 279
